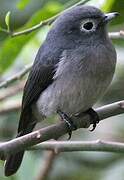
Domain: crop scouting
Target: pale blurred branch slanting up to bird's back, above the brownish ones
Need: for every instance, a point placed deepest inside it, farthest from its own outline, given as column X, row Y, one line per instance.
column 16, row 77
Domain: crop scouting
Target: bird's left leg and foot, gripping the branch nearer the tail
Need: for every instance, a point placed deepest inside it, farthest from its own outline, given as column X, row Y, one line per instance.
column 71, row 126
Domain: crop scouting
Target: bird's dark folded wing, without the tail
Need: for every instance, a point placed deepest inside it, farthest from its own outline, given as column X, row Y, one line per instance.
column 40, row 77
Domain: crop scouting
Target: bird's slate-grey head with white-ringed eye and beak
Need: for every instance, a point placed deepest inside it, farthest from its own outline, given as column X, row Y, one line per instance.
column 82, row 21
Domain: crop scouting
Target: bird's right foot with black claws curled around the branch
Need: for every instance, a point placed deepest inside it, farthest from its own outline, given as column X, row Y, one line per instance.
column 93, row 117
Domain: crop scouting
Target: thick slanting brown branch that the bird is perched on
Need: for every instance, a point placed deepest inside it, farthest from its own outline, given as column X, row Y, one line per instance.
column 57, row 130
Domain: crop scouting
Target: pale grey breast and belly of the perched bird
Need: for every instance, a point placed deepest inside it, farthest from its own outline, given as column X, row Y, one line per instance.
column 79, row 81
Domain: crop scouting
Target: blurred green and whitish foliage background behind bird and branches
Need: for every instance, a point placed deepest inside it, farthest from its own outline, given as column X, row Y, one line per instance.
column 16, row 53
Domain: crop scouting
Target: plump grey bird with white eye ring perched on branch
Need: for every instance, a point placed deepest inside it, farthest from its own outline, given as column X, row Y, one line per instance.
column 72, row 70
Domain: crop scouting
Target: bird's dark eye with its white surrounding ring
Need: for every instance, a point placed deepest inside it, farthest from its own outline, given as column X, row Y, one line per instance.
column 88, row 25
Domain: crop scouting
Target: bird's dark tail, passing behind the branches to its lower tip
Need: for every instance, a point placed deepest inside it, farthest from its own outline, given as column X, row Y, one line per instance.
column 13, row 161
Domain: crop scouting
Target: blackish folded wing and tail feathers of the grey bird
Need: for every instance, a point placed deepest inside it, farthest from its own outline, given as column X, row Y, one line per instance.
column 40, row 77
